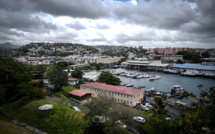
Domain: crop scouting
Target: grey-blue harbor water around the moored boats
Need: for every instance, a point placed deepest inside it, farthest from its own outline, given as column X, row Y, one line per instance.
column 167, row 80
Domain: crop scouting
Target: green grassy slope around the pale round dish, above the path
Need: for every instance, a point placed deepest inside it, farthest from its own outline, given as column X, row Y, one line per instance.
column 29, row 113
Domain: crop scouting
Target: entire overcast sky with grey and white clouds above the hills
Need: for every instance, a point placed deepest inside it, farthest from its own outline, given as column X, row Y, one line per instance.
column 147, row 23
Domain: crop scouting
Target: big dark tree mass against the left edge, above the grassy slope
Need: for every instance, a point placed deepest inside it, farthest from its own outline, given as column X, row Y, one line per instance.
column 12, row 74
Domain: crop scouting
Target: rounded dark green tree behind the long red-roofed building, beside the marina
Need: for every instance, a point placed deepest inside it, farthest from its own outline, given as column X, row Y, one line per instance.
column 108, row 78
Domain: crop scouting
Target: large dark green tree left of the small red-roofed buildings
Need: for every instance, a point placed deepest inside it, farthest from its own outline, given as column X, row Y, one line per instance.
column 57, row 77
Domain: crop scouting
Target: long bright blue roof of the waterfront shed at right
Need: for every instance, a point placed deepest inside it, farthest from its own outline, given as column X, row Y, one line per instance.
column 199, row 67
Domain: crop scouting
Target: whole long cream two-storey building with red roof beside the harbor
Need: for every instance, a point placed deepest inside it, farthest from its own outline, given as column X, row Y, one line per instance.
column 128, row 96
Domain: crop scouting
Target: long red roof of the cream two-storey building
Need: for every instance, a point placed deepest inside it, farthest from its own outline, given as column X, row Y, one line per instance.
column 111, row 88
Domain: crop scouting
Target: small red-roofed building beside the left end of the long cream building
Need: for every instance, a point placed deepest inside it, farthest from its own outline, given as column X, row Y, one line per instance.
column 80, row 96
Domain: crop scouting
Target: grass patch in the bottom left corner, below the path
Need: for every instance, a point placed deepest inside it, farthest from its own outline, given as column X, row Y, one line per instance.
column 7, row 128
